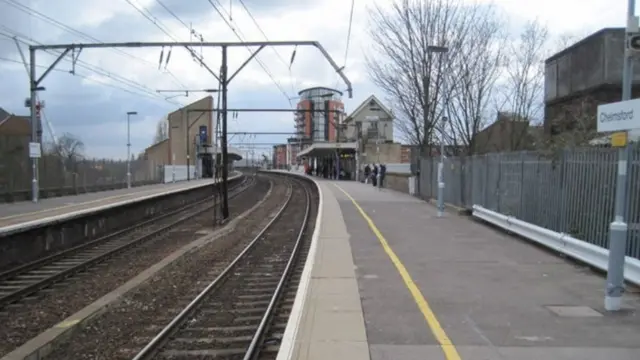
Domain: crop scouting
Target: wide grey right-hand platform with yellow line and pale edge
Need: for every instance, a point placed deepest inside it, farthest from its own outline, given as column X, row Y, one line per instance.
column 388, row 279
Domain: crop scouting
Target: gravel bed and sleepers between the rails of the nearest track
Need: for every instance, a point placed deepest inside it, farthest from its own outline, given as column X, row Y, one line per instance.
column 225, row 320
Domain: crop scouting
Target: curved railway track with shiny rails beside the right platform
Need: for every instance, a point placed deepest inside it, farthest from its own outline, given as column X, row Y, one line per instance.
column 241, row 312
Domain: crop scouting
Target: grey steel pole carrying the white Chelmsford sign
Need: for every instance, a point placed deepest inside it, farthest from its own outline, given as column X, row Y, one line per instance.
column 618, row 228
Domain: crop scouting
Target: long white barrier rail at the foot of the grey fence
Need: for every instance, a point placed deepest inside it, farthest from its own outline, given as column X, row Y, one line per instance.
column 577, row 249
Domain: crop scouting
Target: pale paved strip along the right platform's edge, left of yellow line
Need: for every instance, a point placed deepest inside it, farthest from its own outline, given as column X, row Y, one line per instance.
column 331, row 324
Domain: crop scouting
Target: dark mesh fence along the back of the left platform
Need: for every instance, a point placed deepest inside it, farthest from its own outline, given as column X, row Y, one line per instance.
column 59, row 177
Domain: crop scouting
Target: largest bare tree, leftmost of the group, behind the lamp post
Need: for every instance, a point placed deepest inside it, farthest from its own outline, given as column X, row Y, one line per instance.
column 403, row 66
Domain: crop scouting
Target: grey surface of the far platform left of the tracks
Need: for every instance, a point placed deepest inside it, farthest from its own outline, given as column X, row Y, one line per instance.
column 24, row 211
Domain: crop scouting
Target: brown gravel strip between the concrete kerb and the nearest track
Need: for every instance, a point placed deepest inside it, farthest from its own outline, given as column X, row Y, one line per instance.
column 122, row 330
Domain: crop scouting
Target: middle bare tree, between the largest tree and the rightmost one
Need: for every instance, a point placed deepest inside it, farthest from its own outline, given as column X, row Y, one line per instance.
column 473, row 77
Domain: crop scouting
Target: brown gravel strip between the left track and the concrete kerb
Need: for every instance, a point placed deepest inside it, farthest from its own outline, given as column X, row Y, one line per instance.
column 22, row 322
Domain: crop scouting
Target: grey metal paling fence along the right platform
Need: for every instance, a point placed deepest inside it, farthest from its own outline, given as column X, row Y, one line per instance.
column 572, row 192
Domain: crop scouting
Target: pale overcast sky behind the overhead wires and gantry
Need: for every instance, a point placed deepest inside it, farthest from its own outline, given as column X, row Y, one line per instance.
column 93, row 106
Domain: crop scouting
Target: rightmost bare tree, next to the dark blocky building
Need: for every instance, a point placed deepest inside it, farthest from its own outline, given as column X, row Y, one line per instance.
column 523, row 88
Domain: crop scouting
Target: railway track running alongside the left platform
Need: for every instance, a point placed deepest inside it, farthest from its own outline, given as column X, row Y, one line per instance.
column 21, row 282
